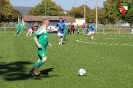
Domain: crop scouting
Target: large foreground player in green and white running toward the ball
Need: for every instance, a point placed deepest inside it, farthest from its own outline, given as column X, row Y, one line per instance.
column 41, row 40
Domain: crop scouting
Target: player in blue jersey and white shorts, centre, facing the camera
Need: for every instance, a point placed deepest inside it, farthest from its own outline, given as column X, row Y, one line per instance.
column 60, row 27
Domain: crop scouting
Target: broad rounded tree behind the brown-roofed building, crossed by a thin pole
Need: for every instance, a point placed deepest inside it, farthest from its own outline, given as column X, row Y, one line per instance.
column 51, row 8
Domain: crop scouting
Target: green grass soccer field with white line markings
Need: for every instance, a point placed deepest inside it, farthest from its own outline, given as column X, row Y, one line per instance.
column 108, row 61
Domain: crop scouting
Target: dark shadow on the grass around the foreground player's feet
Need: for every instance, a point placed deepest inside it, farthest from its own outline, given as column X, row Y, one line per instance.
column 18, row 71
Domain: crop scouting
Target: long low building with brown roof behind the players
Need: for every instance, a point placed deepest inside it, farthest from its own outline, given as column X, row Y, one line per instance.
column 52, row 19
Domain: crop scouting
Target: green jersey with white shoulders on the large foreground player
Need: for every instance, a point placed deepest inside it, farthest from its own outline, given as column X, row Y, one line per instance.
column 42, row 36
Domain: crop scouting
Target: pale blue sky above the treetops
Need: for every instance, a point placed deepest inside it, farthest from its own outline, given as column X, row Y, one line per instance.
column 65, row 4
